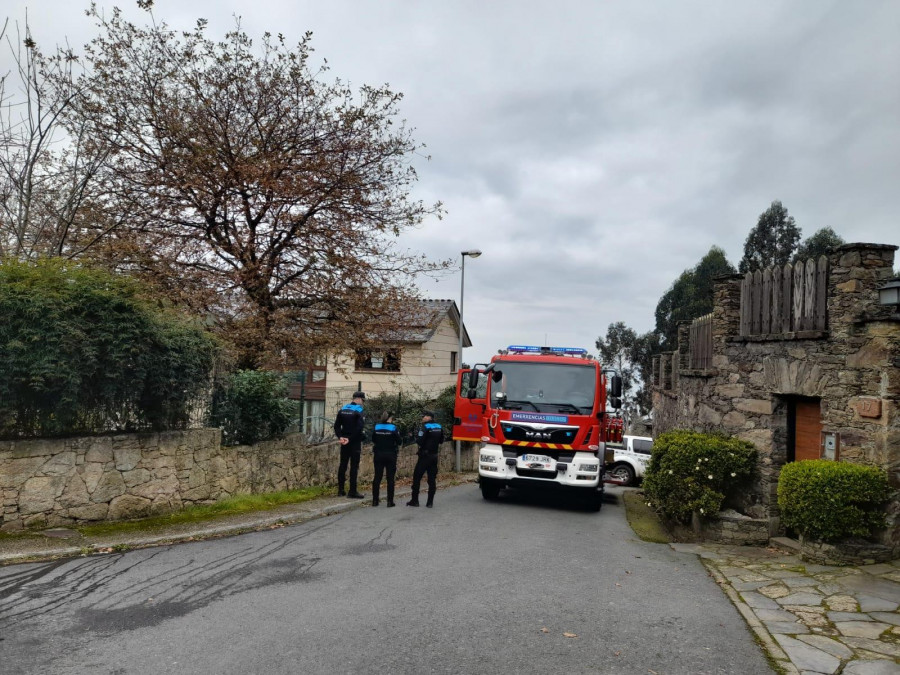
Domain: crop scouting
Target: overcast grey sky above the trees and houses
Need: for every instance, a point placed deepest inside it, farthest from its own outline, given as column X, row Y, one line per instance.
column 594, row 150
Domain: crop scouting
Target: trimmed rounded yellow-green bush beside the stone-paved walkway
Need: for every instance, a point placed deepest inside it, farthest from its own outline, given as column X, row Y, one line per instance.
column 829, row 501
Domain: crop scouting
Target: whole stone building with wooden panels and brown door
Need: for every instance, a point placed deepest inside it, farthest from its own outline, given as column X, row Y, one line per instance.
column 802, row 362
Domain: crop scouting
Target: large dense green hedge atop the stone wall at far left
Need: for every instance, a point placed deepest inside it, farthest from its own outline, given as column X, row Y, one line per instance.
column 81, row 352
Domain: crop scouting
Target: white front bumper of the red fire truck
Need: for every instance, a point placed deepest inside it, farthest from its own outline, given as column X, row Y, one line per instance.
column 533, row 468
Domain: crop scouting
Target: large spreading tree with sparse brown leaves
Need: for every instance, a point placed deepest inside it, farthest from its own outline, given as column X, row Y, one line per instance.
column 255, row 191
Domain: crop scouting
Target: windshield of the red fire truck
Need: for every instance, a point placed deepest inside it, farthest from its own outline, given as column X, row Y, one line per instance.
column 545, row 387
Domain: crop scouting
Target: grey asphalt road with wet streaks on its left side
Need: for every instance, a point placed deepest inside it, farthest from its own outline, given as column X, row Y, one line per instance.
column 467, row 587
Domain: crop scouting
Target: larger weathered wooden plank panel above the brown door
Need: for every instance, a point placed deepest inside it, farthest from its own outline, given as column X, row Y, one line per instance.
column 785, row 299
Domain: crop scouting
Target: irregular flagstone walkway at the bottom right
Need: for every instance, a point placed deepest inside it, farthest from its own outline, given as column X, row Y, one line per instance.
column 812, row 618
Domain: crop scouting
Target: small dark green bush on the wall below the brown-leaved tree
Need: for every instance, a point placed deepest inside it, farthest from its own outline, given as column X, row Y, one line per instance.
column 251, row 406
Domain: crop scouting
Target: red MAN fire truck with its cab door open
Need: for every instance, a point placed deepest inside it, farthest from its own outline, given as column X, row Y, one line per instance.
column 541, row 415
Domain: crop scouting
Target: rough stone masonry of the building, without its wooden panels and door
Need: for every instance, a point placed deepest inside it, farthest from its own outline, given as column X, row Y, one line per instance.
column 853, row 368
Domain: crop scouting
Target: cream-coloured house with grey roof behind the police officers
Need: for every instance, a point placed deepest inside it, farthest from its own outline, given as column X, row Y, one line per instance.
column 421, row 358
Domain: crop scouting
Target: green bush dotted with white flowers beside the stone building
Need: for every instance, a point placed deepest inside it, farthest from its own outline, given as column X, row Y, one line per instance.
column 691, row 471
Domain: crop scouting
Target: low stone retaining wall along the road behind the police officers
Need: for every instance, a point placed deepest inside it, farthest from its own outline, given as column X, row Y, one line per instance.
column 66, row 481
